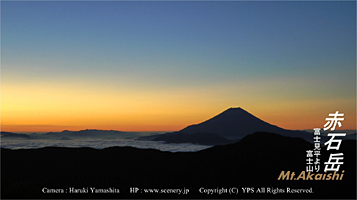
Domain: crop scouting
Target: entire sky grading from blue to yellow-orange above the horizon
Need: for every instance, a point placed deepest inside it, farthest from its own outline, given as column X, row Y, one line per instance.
column 155, row 66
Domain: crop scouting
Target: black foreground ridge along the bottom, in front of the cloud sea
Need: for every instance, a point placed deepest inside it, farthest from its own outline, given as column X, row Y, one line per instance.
column 256, row 161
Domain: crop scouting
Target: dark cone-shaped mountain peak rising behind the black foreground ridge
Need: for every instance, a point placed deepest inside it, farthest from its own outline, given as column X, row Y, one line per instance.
column 229, row 126
